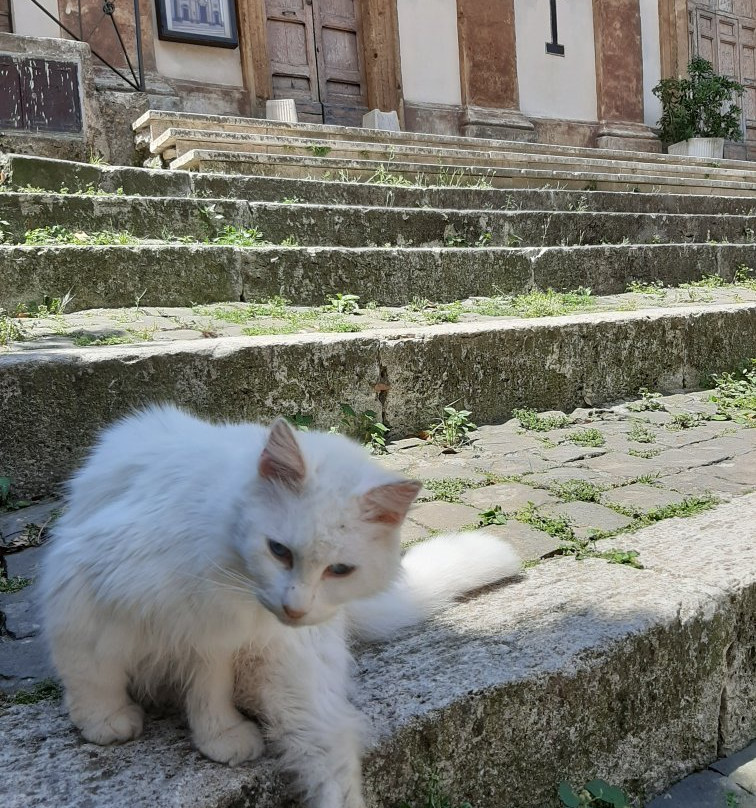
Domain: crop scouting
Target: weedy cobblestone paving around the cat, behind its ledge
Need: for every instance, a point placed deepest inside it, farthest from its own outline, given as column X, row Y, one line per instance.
column 549, row 489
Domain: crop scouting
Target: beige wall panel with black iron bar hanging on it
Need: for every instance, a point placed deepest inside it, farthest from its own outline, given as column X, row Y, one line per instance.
column 556, row 86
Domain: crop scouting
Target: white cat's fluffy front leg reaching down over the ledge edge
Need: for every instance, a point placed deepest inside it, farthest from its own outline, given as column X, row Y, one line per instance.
column 302, row 690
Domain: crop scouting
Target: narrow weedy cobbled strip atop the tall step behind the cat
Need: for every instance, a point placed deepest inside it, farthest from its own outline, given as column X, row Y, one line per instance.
column 96, row 327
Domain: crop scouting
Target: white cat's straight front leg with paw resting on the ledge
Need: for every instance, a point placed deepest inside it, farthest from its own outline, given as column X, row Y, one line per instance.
column 219, row 730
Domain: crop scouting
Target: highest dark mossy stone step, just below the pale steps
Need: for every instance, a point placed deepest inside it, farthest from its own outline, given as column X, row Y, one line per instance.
column 24, row 172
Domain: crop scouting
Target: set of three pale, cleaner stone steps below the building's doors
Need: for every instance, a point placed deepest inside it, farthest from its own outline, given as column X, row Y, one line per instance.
column 255, row 146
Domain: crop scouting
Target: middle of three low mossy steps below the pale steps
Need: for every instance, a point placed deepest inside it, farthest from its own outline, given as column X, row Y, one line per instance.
column 167, row 218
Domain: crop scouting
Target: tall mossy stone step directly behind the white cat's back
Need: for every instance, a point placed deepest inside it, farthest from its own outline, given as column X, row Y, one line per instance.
column 58, row 399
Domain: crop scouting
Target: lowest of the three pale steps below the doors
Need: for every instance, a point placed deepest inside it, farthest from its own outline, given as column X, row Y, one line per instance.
column 282, row 165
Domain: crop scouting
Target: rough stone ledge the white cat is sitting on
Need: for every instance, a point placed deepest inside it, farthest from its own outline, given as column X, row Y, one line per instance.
column 575, row 670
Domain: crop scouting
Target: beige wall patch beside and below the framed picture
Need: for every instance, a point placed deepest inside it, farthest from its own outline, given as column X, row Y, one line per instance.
column 197, row 62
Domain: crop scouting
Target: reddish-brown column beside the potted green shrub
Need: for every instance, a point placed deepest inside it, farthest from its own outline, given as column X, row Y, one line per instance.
column 619, row 77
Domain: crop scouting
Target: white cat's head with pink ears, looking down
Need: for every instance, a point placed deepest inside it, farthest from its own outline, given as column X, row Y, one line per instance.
column 322, row 525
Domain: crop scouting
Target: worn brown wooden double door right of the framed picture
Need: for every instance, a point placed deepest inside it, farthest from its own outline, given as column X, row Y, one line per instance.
column 316, row 57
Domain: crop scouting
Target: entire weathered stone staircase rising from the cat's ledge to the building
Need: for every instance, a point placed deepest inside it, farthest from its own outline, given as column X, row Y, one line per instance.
column 230, row 293
